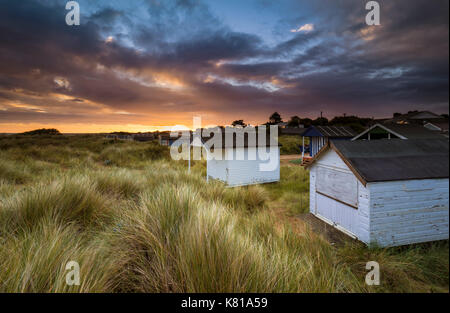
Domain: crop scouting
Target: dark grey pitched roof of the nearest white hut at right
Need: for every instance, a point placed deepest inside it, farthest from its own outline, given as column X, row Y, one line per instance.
column 395, row 159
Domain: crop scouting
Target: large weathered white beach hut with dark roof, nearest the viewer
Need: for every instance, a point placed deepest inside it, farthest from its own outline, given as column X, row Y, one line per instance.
column 384, row 192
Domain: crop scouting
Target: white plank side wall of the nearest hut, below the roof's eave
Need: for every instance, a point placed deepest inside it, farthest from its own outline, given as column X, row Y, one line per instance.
column 406, row 212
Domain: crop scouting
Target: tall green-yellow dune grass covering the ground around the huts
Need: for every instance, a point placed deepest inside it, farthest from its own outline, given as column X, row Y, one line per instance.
column 142, row 223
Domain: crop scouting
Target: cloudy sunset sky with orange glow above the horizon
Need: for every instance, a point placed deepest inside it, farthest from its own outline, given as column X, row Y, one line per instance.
column 143, row 65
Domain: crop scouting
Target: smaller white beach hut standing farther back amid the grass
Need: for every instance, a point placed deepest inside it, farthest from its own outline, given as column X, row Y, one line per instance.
column 241, row 164
